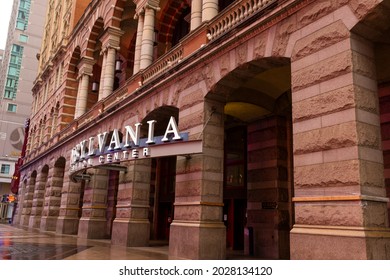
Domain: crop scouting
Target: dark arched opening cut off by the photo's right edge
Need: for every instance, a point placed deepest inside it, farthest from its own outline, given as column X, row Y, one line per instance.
column 373, row 32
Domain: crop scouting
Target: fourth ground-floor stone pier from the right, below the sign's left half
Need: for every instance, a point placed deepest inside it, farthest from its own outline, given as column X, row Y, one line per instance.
column 93, row 220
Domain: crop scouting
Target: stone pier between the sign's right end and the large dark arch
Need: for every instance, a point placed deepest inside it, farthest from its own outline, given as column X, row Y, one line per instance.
column 197, row 231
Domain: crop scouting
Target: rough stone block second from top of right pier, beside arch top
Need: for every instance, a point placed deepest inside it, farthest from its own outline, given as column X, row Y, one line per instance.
column 322, row 71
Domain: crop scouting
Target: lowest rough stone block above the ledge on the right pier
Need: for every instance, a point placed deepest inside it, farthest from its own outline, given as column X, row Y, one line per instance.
column 330, row 174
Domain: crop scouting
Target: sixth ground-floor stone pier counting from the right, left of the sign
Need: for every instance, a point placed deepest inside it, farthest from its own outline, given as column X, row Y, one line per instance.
column 51, row 207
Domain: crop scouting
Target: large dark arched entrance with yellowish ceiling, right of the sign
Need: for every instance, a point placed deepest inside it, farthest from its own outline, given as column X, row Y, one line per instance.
column 257, row 184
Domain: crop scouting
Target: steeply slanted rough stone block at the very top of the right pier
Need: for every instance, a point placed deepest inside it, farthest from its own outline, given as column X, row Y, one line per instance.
column 321, row 39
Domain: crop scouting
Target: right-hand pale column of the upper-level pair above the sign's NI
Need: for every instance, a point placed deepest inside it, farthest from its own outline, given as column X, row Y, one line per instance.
column 148, row 37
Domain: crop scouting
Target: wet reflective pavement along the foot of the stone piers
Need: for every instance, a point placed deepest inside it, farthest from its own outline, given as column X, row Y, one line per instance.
column 30, row 244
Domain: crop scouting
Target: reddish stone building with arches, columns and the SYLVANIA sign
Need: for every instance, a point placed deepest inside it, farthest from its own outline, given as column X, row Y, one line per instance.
column 251, row 125
